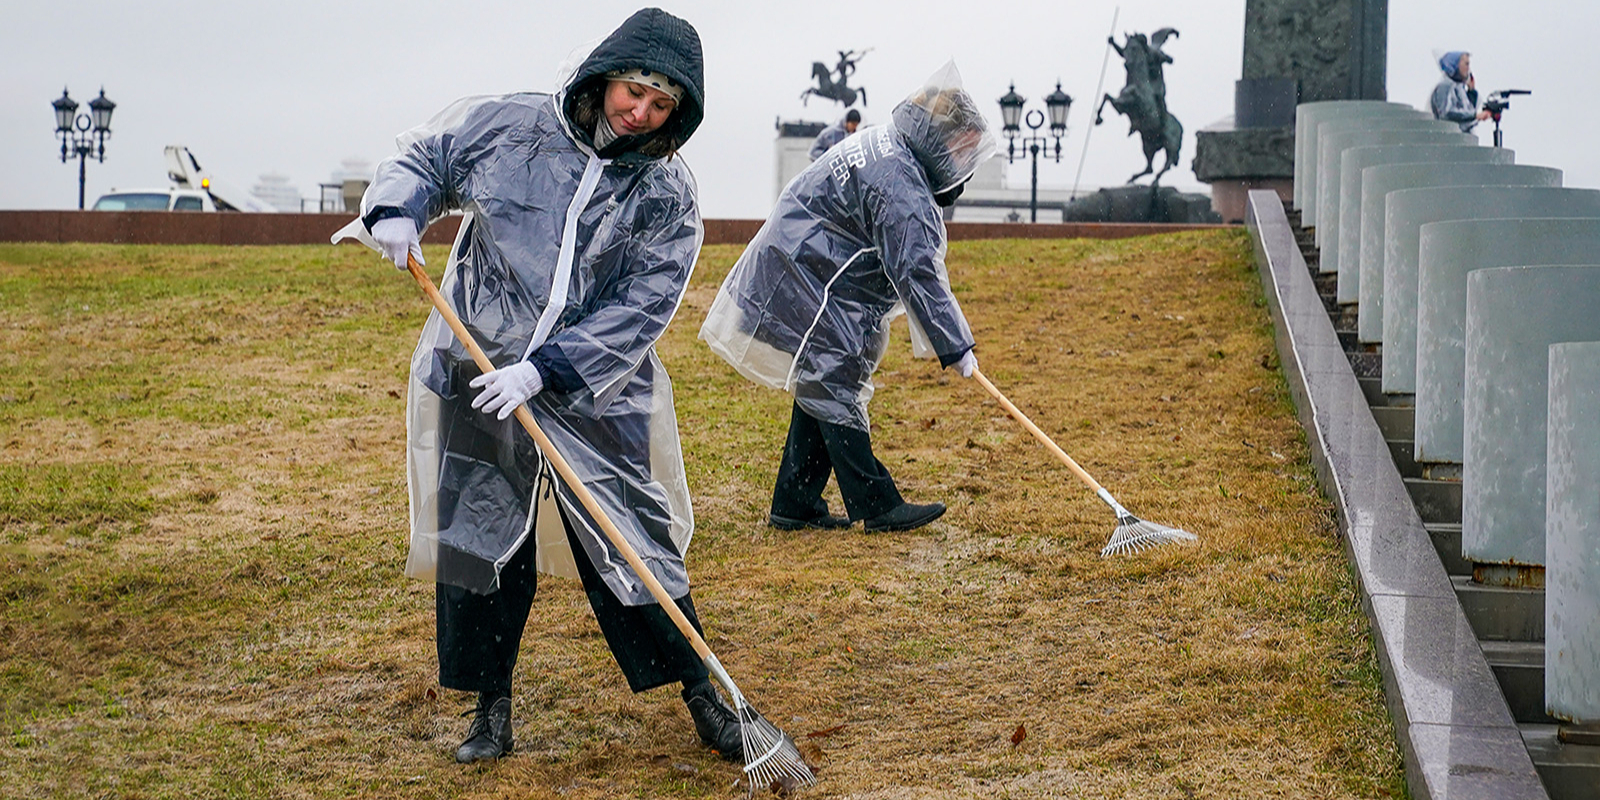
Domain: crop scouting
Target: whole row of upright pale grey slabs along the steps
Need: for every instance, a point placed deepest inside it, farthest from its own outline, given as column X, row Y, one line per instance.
column 1479, row 284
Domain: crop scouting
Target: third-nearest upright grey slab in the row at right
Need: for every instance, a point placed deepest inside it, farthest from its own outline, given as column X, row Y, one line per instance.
column 1450, row 252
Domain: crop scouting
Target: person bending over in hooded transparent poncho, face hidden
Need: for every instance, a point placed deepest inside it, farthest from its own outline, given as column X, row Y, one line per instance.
column 855, row 241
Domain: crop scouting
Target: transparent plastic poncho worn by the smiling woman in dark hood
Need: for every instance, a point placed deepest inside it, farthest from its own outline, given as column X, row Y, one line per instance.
column 558, row 246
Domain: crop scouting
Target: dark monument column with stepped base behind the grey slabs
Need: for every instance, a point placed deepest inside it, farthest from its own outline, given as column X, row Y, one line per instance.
column 1295, row 52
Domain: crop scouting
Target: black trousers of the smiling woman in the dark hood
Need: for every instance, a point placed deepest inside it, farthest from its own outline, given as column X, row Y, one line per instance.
column 479, row 636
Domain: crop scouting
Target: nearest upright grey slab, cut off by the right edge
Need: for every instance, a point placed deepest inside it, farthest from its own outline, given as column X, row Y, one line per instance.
column 1572, row 529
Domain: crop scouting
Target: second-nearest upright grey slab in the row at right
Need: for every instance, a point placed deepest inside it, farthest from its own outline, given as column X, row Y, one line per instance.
column 1514, row 316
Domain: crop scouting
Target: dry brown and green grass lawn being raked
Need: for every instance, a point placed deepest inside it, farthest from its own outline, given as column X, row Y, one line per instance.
column 202, row 538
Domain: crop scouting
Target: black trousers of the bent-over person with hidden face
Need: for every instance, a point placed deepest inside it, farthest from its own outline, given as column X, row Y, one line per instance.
column 818, row 449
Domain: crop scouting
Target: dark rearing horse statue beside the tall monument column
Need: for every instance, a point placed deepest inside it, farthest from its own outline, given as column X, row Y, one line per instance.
column 1143, row 100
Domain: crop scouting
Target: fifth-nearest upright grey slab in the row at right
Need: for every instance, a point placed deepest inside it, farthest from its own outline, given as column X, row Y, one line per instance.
column 1466, row 191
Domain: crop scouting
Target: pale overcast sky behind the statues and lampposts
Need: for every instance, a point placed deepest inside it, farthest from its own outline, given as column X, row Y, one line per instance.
column 297, row 87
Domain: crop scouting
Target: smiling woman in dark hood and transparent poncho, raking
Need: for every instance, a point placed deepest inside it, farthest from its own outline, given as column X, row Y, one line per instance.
column 580, row 234
